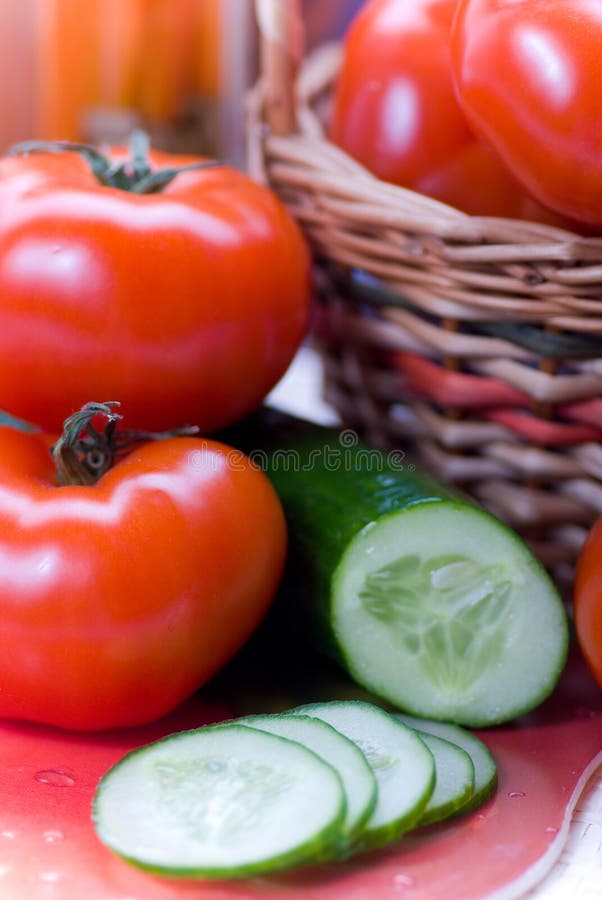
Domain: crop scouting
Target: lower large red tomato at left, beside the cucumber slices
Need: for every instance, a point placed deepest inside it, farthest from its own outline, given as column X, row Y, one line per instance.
column 120, row 598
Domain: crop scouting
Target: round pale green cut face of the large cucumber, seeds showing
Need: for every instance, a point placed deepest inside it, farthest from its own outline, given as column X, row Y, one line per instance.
column 444, row 612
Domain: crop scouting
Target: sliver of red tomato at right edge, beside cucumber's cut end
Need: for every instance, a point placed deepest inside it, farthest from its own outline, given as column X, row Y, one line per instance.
column 588, row 600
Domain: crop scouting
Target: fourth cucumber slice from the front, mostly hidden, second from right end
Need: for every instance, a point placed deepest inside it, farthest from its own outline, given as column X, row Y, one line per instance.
column 454, row 780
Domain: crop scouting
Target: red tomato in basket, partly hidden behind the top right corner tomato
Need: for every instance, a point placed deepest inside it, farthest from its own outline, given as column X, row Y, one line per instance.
column 396, row 112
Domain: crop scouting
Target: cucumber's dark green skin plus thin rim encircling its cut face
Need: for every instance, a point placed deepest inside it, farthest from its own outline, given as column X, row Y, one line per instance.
column 328, row 509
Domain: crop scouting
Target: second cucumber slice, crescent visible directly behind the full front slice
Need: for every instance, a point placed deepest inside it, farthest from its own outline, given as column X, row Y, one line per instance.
column 359, row 783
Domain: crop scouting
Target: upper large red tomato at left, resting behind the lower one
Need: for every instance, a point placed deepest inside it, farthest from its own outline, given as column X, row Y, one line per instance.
column 185, row 304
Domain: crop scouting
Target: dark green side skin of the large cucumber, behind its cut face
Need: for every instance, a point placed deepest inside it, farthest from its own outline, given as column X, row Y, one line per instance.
column 325, row 508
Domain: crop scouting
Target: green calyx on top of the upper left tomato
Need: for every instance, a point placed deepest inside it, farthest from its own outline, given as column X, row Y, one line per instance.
column 133, row 174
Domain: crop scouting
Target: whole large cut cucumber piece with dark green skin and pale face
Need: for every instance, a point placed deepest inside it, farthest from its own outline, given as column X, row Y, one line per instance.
column 427, row 600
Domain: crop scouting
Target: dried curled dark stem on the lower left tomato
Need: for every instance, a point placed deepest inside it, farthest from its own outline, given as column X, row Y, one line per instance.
column 83, row 454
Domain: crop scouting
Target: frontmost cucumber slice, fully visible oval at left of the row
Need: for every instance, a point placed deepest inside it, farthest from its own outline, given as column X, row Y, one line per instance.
column 221, row 801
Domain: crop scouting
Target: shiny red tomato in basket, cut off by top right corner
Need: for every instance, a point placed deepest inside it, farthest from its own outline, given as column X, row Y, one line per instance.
column 528, row 75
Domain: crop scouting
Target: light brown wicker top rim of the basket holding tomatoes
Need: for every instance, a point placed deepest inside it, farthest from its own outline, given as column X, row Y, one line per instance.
column 309, row 152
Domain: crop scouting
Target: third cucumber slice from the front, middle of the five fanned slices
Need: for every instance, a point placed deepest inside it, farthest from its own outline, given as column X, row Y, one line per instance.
column 403, row 766
